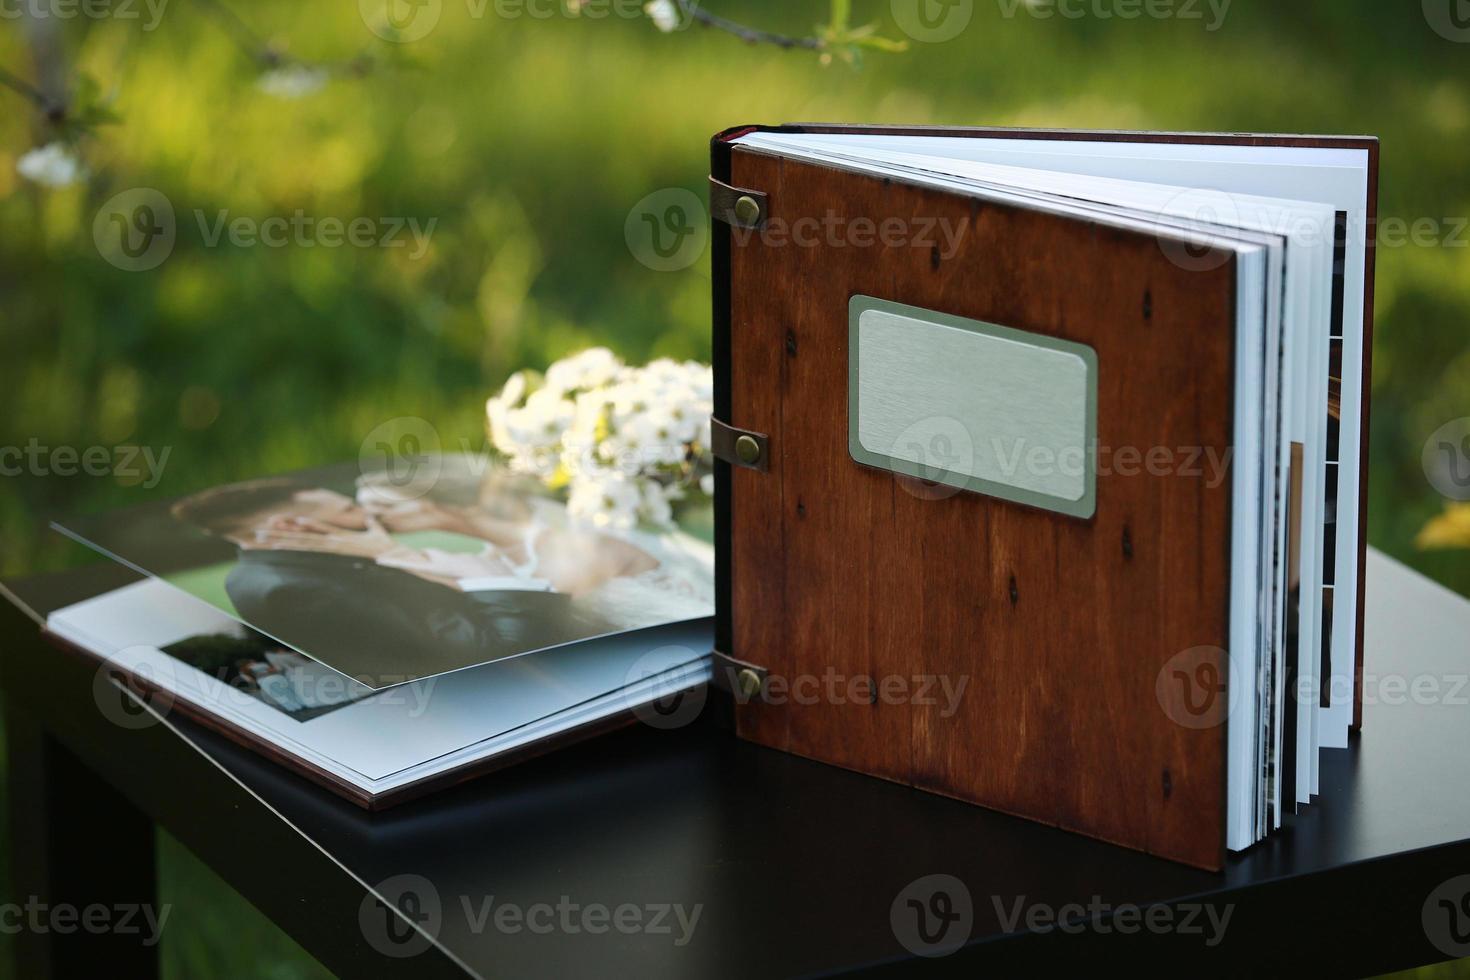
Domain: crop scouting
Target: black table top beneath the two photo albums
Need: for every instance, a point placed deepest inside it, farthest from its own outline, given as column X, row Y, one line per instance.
column 793, row 868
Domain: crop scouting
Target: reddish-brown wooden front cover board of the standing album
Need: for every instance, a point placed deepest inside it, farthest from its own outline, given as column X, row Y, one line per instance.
column 1058, row 628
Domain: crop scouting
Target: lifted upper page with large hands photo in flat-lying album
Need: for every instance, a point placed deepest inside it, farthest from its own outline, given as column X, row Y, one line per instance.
column 390, row 581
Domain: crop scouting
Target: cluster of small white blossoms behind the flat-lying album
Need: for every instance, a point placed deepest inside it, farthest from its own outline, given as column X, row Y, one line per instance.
column 627, row 444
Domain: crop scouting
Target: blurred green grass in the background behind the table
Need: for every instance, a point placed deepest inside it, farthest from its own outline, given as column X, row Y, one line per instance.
column 528, row 142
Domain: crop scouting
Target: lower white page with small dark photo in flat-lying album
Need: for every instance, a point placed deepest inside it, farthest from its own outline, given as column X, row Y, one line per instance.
column 196, row 657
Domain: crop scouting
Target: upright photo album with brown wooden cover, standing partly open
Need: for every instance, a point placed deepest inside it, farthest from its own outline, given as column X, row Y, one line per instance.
column 1078, row 415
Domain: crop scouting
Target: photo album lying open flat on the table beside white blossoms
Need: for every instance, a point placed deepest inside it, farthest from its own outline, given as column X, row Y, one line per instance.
column 387, row 638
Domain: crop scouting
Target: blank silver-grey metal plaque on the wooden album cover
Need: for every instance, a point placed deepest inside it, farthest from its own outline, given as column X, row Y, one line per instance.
column 971, row 405
